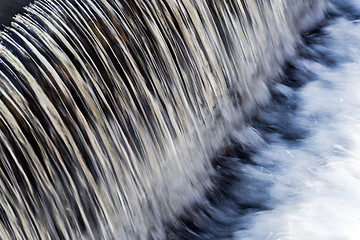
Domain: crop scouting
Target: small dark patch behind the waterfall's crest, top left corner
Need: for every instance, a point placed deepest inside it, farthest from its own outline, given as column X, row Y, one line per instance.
column 8, row 9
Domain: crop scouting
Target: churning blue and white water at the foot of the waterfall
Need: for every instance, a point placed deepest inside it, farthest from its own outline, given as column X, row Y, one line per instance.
column 298, row 174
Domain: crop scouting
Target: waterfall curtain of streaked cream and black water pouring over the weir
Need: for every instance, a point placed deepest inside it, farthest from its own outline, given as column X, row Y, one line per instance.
column 111, row 110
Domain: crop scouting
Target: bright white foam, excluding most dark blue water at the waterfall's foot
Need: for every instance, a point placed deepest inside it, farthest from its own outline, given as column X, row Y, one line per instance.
column 314, row 179
